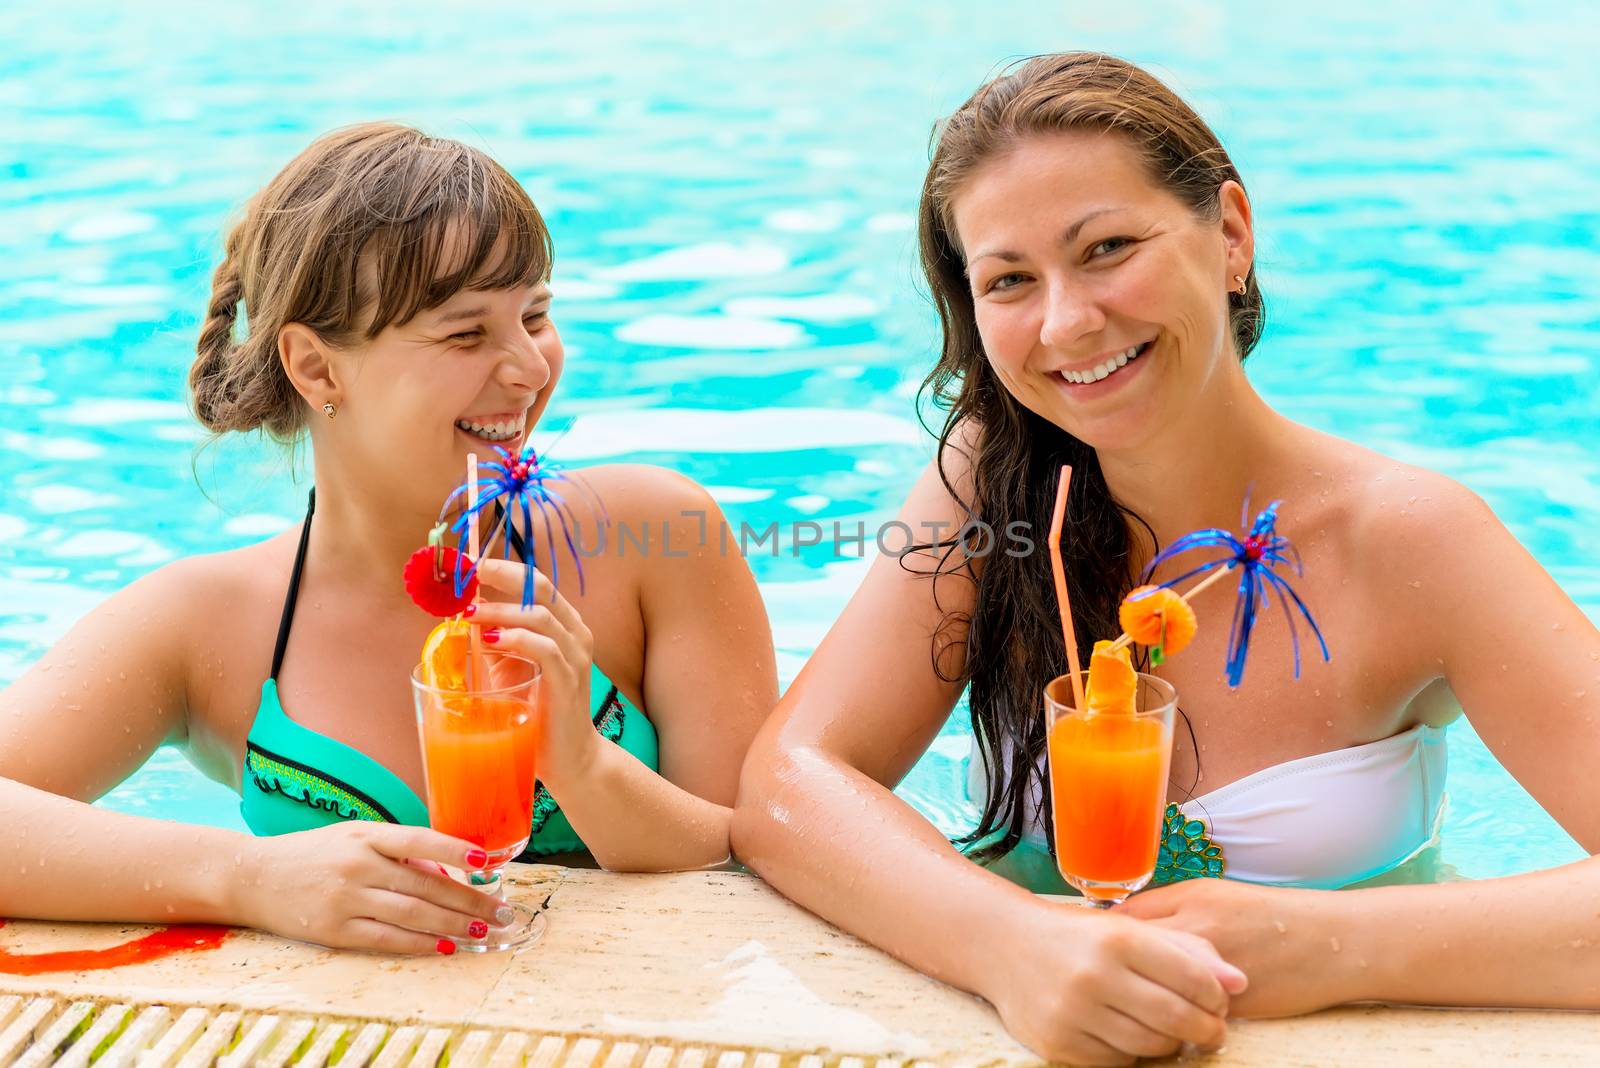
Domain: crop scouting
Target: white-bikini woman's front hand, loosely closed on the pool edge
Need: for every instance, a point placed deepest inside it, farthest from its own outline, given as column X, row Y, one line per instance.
column 1097, row 989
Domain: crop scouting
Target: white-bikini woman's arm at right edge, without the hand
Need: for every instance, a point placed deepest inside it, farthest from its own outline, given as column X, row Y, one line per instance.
column 1526, row 664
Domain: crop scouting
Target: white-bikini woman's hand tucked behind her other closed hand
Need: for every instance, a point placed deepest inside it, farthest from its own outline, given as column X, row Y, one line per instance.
column 1286, row 941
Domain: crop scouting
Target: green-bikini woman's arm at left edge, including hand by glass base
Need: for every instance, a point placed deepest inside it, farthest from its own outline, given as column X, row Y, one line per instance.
column 92, row 712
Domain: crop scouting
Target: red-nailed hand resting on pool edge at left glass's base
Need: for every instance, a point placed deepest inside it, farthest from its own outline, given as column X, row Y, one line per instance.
column 362, row 887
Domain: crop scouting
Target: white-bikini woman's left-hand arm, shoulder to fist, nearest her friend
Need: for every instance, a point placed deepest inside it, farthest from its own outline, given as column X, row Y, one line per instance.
column 820, row 821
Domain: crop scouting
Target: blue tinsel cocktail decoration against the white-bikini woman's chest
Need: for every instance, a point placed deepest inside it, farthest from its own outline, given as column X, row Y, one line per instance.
column 1257, row 557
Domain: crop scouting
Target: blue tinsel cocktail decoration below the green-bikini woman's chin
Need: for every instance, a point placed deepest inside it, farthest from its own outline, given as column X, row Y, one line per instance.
column 519, row 485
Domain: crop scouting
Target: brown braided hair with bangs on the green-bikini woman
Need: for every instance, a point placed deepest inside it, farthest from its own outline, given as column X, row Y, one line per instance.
column 366, row 228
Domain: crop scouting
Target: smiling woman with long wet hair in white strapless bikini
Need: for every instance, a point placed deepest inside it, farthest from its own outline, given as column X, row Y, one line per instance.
column 1090, row 250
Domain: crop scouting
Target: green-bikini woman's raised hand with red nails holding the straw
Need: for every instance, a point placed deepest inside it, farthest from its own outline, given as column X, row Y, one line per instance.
column 553, row 636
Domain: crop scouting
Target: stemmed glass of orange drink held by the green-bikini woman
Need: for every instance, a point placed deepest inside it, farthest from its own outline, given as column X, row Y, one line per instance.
column 479, row 752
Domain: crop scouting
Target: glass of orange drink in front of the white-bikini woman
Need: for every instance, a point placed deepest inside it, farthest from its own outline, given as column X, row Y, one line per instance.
column 1108, row 787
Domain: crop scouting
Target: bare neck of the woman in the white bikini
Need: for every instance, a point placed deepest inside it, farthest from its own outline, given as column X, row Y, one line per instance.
column 1196, row 471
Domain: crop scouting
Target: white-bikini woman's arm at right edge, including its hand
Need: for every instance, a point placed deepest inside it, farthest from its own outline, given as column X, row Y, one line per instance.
column 1526, row 664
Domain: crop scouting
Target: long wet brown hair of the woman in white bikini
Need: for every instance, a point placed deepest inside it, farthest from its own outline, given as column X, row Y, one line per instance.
column 1014, row 634
